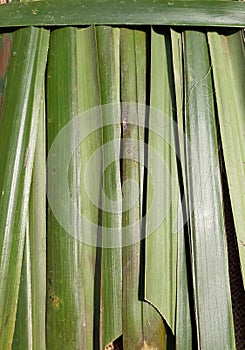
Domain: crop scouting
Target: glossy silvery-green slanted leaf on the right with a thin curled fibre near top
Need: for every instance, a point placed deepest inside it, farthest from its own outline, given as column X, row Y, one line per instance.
column 204, row 197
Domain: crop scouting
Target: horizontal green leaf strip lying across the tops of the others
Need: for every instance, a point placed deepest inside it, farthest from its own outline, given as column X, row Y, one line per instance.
column 157, row 12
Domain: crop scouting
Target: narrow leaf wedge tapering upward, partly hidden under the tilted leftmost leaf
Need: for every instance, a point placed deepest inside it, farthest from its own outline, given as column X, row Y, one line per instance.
column 31, row 312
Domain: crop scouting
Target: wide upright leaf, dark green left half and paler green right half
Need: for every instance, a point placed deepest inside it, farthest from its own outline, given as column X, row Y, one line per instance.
column 72, row 89
